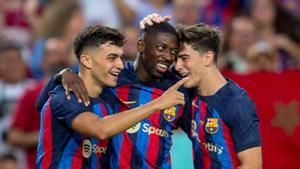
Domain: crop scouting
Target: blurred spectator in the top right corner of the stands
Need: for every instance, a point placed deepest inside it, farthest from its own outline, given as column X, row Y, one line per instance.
column 279, row 28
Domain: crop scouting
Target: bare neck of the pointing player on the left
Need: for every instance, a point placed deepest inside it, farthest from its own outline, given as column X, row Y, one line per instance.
column 93, row 89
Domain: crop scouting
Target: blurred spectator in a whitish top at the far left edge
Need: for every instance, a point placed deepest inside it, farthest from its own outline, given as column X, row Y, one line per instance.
column 12, row 85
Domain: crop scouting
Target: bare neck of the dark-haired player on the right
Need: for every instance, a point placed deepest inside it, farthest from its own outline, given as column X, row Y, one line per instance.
column 211, row 82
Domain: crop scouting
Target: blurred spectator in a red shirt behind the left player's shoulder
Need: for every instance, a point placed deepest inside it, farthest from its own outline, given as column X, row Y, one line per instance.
column 24, row 130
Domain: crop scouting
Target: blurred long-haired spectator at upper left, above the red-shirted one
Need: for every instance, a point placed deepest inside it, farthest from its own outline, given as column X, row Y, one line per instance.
column 59, row 19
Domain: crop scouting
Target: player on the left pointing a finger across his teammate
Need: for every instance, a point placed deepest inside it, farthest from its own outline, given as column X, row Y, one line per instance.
column 73, row 135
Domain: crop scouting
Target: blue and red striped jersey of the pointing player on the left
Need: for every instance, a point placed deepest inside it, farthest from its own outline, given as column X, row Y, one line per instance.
column 59, row 145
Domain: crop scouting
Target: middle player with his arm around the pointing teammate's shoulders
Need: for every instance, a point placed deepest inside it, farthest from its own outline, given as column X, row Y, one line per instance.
column 146, row 144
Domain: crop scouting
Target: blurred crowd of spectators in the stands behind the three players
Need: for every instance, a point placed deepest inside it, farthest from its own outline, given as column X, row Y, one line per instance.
column 36, row 42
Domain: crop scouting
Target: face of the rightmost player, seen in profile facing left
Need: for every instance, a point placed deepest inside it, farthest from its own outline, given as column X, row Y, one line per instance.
column 190, row 63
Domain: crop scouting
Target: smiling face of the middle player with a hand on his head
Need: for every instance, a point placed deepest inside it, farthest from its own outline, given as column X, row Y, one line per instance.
column 159, row 54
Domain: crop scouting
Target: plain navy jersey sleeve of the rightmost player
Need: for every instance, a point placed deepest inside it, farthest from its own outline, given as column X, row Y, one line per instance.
column 241, row 117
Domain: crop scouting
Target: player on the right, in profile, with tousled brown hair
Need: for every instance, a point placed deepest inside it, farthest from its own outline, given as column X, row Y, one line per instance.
column 220, row 119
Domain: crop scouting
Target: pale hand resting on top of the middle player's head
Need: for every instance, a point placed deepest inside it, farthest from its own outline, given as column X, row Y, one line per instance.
column 153, row 18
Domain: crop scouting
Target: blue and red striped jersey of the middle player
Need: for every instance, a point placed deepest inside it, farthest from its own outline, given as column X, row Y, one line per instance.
column 146, row 144
